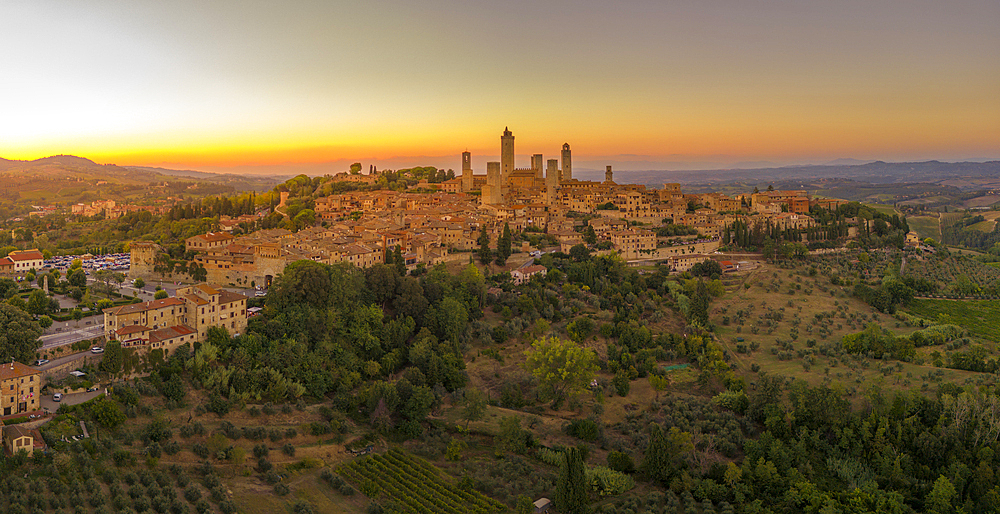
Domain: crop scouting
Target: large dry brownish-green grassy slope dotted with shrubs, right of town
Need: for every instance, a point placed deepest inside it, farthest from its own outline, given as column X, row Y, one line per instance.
column 785, row 347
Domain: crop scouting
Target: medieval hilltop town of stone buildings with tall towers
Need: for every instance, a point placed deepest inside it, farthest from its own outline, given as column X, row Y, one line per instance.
column 445, row 222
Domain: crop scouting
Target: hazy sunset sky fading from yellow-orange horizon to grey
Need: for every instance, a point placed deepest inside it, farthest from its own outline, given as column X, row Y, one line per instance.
column 208, row 84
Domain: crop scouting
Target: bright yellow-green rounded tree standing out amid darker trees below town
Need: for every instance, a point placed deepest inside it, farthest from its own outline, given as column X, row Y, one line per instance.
column 561, row 366
